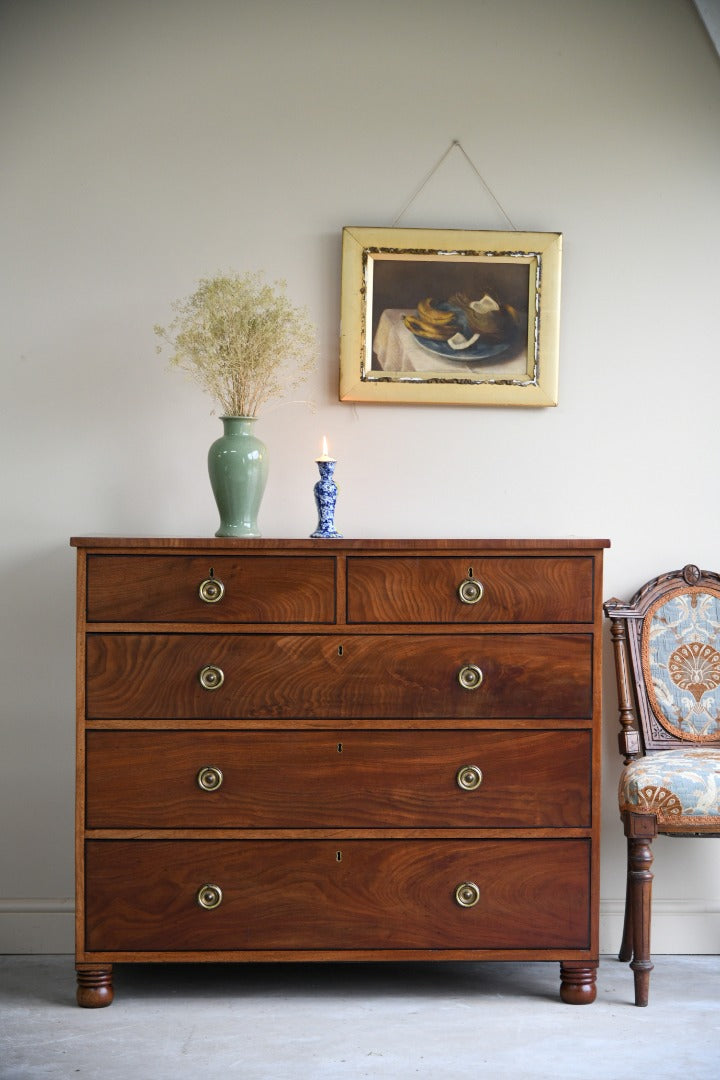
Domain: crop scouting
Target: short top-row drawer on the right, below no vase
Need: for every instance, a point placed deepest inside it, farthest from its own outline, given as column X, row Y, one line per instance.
column 484, row 590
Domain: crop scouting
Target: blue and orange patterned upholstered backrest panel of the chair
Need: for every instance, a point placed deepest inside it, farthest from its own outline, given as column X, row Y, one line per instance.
column 682, row 664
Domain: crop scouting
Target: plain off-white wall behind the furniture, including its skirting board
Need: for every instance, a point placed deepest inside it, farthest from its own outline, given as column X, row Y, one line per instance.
column 148, row 145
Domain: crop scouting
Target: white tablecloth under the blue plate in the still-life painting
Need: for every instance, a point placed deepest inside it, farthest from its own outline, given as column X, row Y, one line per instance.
column 398, row 350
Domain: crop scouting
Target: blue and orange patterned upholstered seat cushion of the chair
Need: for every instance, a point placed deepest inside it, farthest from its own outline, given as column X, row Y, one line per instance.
column 681, row 788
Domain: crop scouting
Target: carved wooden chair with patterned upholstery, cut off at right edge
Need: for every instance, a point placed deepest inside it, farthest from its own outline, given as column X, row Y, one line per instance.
column 668, row 663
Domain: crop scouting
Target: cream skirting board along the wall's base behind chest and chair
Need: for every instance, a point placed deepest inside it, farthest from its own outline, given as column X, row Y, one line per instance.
column 685, row 927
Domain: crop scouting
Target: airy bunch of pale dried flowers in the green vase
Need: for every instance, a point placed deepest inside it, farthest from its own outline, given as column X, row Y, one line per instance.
column 242, row 341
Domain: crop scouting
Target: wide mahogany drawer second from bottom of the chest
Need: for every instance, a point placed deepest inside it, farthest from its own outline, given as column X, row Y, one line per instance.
column 341, row 779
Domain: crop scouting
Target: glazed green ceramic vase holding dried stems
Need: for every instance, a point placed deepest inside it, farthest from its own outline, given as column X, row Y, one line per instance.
column 238, row 466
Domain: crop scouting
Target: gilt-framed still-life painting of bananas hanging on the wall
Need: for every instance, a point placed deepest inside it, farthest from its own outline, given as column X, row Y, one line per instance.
column 450, row 317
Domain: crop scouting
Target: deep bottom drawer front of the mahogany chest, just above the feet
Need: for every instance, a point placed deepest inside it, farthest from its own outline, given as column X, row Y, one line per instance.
column 387, row 895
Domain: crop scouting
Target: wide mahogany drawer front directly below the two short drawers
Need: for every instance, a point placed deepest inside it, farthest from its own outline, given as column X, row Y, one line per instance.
column 152, row 677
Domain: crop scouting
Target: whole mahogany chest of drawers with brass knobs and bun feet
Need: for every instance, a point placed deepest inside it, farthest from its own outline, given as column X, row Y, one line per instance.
column 338, row 751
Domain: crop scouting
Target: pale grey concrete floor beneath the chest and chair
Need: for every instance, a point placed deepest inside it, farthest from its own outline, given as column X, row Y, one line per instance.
column 386, row 1022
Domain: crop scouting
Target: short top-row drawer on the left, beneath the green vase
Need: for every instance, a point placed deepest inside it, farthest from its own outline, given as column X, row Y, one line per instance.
column 211, row 589
